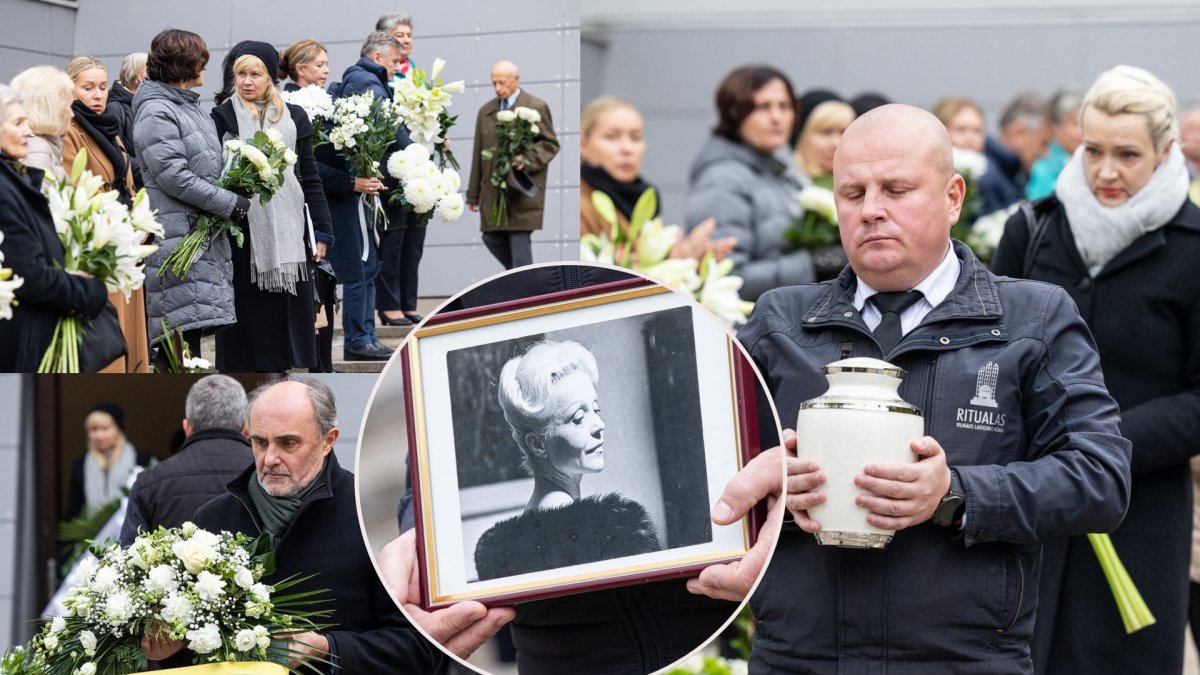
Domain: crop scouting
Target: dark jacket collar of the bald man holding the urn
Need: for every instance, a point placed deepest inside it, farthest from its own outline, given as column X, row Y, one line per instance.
column 975, row 296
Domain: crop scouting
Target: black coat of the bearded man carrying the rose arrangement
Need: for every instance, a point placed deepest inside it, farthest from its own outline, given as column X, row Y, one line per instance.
column 371, row 636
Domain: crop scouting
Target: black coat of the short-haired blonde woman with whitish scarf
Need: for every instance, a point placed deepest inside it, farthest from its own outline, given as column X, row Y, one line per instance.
column 1144, row 310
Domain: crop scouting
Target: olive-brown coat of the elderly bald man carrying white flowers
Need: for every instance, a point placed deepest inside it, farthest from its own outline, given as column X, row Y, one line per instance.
column 525, row 213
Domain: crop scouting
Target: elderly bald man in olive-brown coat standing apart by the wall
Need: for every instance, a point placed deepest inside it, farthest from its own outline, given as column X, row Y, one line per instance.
column 511, row 243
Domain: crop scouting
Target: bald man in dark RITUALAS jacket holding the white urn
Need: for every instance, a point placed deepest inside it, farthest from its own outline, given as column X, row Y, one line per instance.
column 1022, row 437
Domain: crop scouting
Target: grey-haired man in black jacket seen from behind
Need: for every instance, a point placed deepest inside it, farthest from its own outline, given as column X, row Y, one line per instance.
column 217, row 451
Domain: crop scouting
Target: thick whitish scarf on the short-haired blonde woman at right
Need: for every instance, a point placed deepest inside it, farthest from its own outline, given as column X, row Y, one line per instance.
column 1102, row 232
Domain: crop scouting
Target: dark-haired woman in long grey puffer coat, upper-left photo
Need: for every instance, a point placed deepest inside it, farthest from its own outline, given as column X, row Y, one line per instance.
column 181, row 154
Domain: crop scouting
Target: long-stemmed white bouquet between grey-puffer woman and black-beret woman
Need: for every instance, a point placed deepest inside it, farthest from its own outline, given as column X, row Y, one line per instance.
column 253, row 168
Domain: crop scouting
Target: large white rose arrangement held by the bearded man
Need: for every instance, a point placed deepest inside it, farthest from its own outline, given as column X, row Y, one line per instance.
column 179, row 584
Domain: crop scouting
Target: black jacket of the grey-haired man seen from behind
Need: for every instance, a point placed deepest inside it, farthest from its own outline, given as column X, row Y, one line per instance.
column 170, row 493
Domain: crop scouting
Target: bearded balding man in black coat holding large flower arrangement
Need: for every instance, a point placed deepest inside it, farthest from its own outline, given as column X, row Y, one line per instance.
column 298, row 494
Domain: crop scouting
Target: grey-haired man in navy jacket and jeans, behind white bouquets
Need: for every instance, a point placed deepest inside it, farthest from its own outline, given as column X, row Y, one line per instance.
column 356, row 259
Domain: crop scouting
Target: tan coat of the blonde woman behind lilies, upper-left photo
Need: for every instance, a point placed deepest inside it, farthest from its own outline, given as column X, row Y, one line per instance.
column 133, row 314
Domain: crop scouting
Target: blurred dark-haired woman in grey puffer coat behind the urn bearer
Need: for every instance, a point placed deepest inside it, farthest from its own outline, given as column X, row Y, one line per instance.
column 737, row 180
